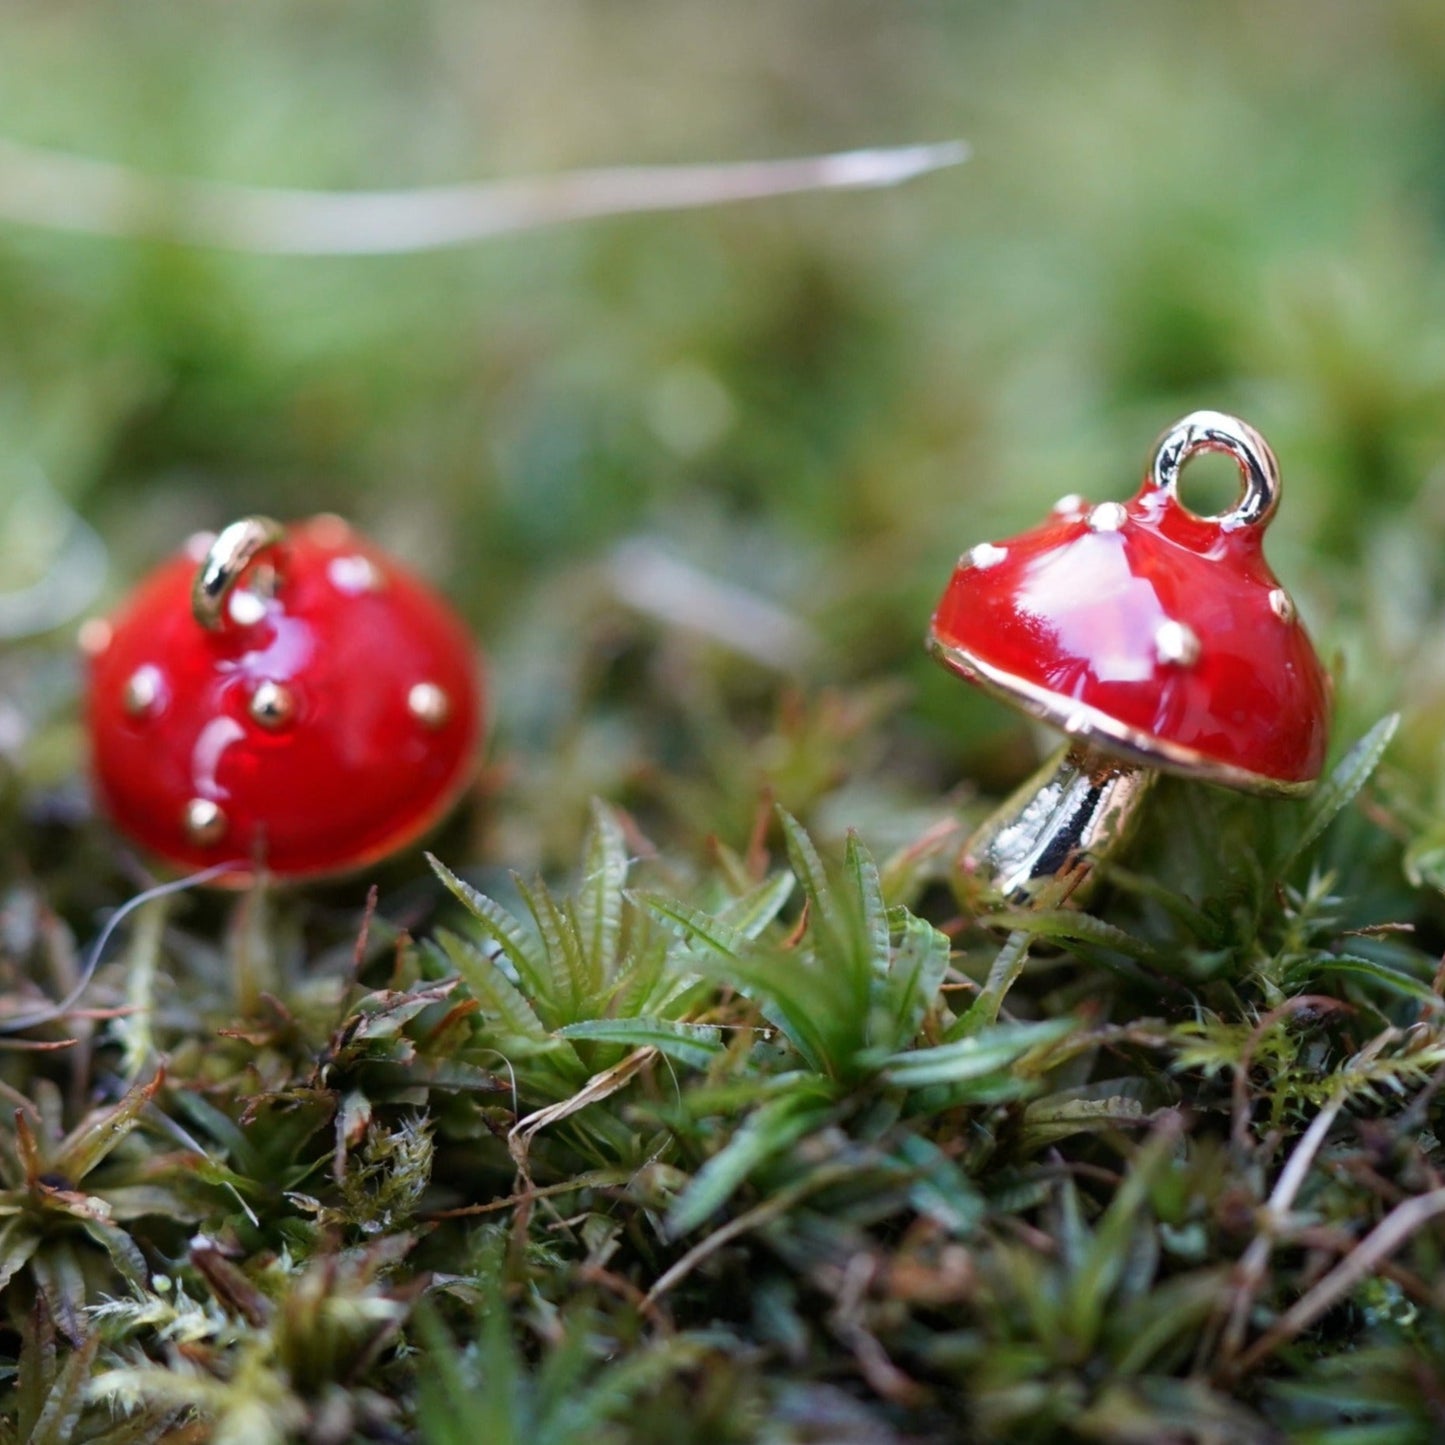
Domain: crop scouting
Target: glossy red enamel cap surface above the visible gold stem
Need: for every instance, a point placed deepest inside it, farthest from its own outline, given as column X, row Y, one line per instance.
column 1074, row 613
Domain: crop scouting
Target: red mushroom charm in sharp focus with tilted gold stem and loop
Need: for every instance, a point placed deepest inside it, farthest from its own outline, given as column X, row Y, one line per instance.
column 1157, row 639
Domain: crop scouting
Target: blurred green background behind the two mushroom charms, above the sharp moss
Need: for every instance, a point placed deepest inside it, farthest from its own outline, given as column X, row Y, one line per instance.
column 817, row 401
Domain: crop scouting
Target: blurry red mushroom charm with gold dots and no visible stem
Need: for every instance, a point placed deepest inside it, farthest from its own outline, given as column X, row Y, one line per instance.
column 290, row 700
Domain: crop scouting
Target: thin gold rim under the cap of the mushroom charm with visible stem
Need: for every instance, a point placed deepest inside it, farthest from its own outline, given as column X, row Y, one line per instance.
column 1109, row 735
